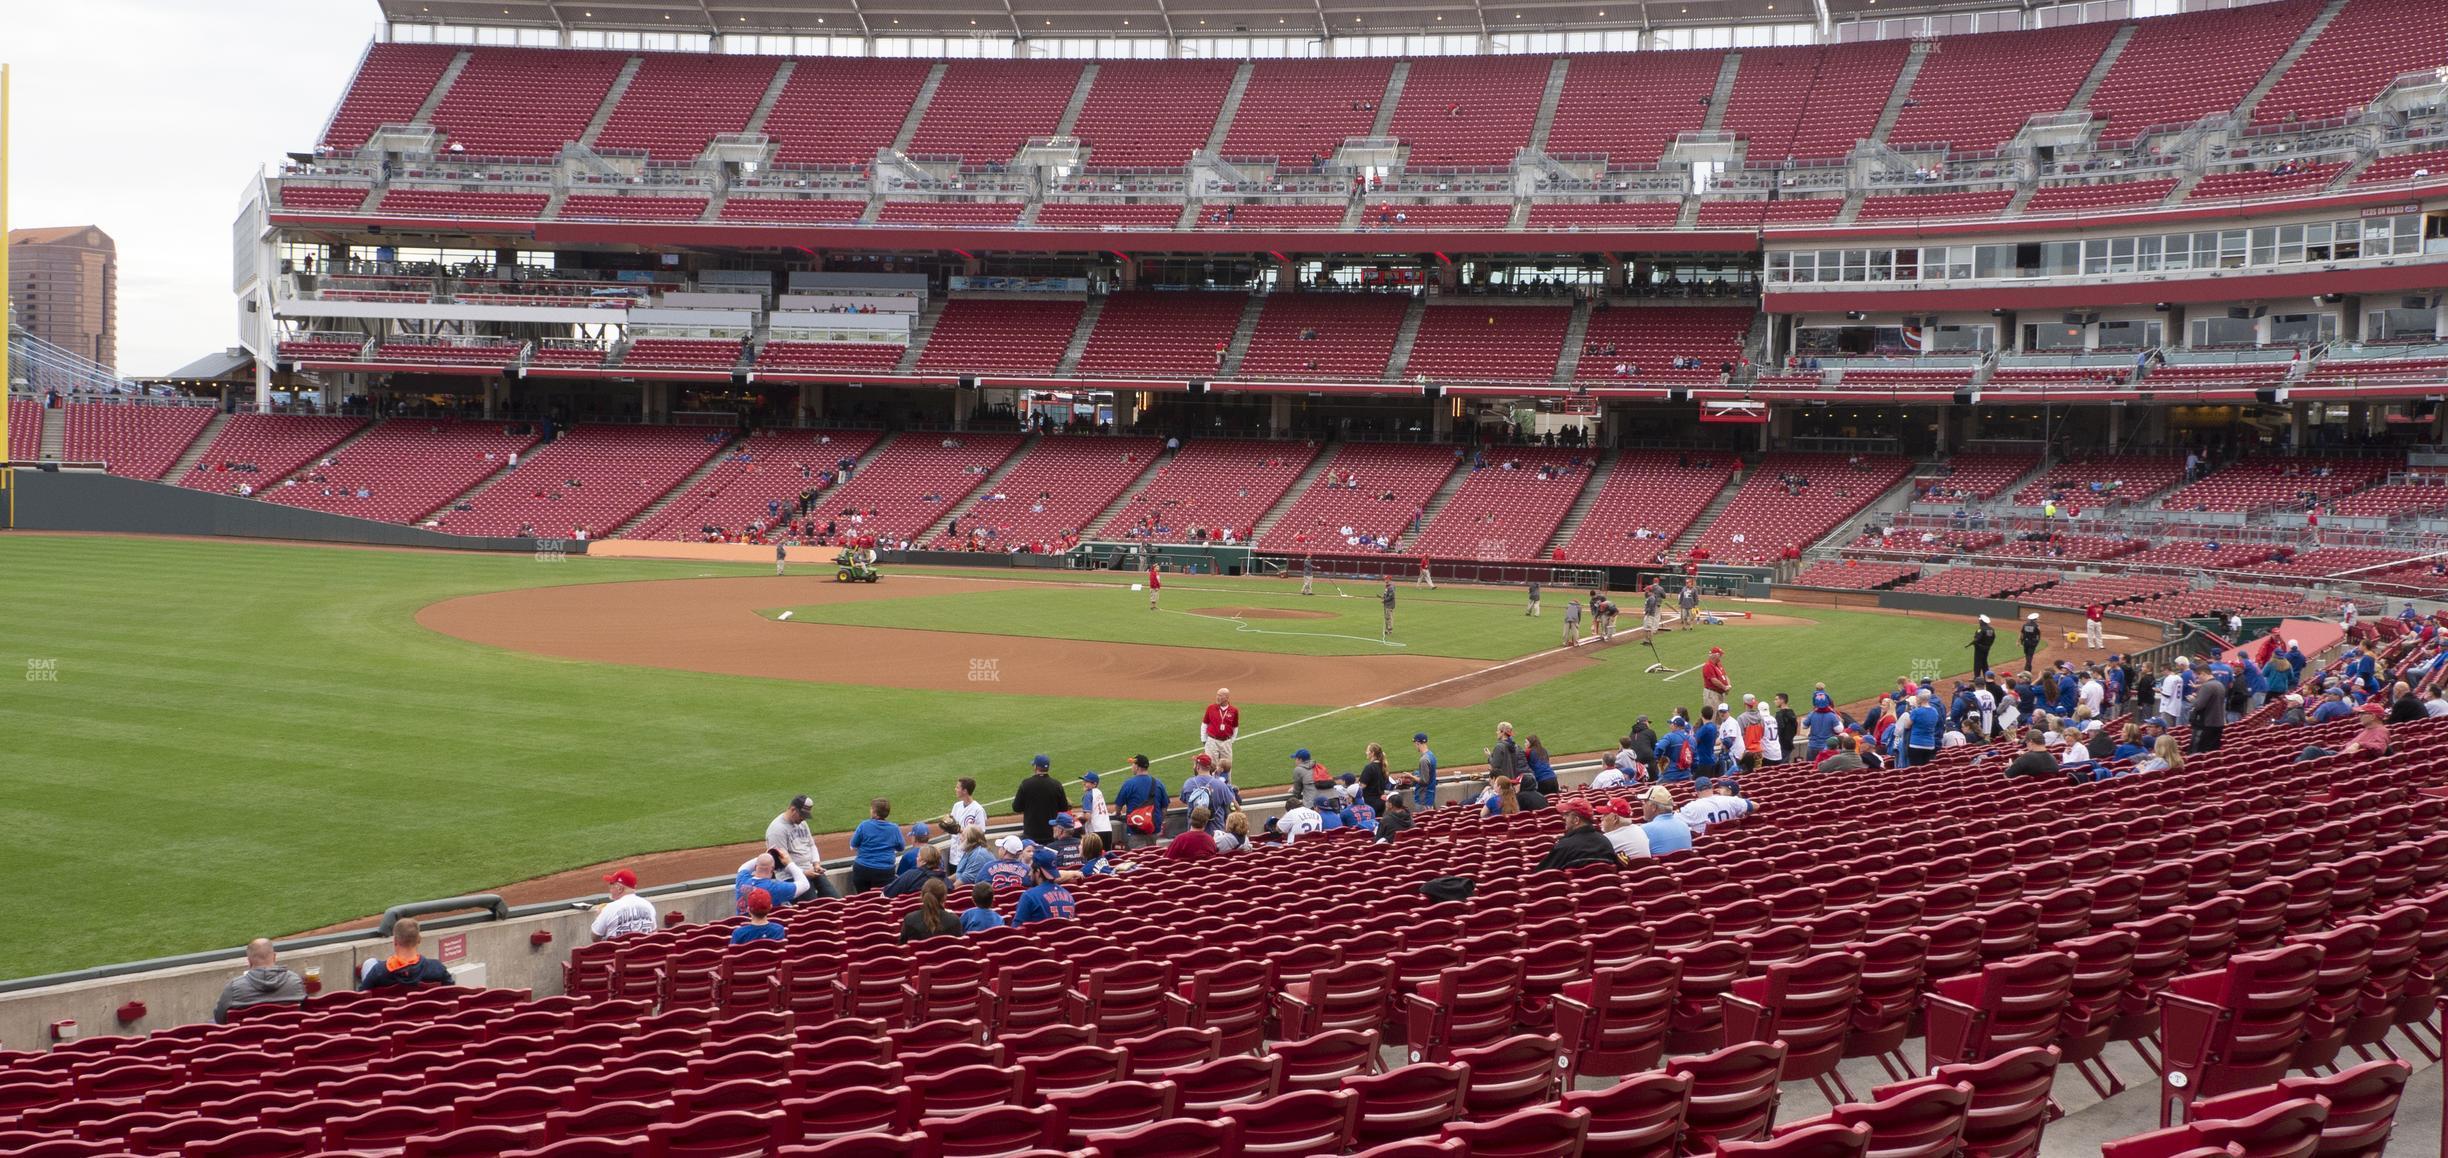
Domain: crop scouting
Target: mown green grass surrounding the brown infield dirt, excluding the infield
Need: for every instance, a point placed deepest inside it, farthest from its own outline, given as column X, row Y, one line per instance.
column 248, row 738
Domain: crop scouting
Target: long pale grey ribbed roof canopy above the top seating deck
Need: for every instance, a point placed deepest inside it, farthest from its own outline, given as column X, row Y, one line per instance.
column 1149, row 18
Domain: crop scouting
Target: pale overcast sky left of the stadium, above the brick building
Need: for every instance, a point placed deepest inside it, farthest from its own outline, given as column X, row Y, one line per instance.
column 148, row 119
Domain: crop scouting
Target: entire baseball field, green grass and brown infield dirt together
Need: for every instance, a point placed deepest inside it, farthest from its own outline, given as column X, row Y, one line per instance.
column 224, row 741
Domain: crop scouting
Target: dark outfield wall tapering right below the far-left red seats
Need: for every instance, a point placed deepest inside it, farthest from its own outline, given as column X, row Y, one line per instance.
column 92, row 501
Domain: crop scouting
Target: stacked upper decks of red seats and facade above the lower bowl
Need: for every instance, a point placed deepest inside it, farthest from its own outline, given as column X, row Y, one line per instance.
column 2226, row 202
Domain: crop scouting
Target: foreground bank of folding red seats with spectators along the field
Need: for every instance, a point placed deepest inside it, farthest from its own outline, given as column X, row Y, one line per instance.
column 1947, row 956
